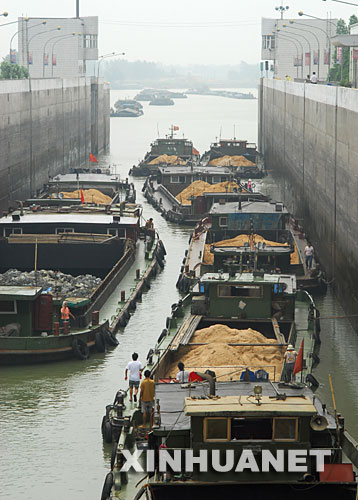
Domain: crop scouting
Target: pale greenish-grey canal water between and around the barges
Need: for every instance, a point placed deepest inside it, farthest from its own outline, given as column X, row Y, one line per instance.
column 50, row 415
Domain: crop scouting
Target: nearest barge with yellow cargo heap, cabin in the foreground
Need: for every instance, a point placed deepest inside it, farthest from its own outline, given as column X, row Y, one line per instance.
column 232, row 333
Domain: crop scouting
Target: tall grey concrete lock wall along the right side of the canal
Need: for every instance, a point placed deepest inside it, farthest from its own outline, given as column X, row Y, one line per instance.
column 308, row 135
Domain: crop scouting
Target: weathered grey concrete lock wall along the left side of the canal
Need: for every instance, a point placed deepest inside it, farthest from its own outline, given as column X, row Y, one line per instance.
column 46, row 129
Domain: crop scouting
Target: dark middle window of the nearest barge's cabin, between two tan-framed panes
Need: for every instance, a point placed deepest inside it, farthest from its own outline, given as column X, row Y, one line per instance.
column 251, row 428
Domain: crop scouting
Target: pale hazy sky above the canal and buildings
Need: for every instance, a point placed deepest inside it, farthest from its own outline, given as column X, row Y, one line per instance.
column 186, row 31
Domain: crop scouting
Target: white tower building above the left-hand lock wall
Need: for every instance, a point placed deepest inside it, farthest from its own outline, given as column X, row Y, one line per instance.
column 57, row 47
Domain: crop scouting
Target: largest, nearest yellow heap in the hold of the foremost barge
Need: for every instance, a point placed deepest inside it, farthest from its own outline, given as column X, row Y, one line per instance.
column 222, row 358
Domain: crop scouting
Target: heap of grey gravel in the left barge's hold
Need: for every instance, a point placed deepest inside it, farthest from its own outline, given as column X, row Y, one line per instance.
column 57, row 283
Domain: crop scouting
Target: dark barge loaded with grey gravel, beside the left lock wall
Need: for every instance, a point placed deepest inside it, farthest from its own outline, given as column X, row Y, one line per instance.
column 97, row 245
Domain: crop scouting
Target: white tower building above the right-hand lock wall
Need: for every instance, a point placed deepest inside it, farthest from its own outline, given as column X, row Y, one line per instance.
column 298, row 47
